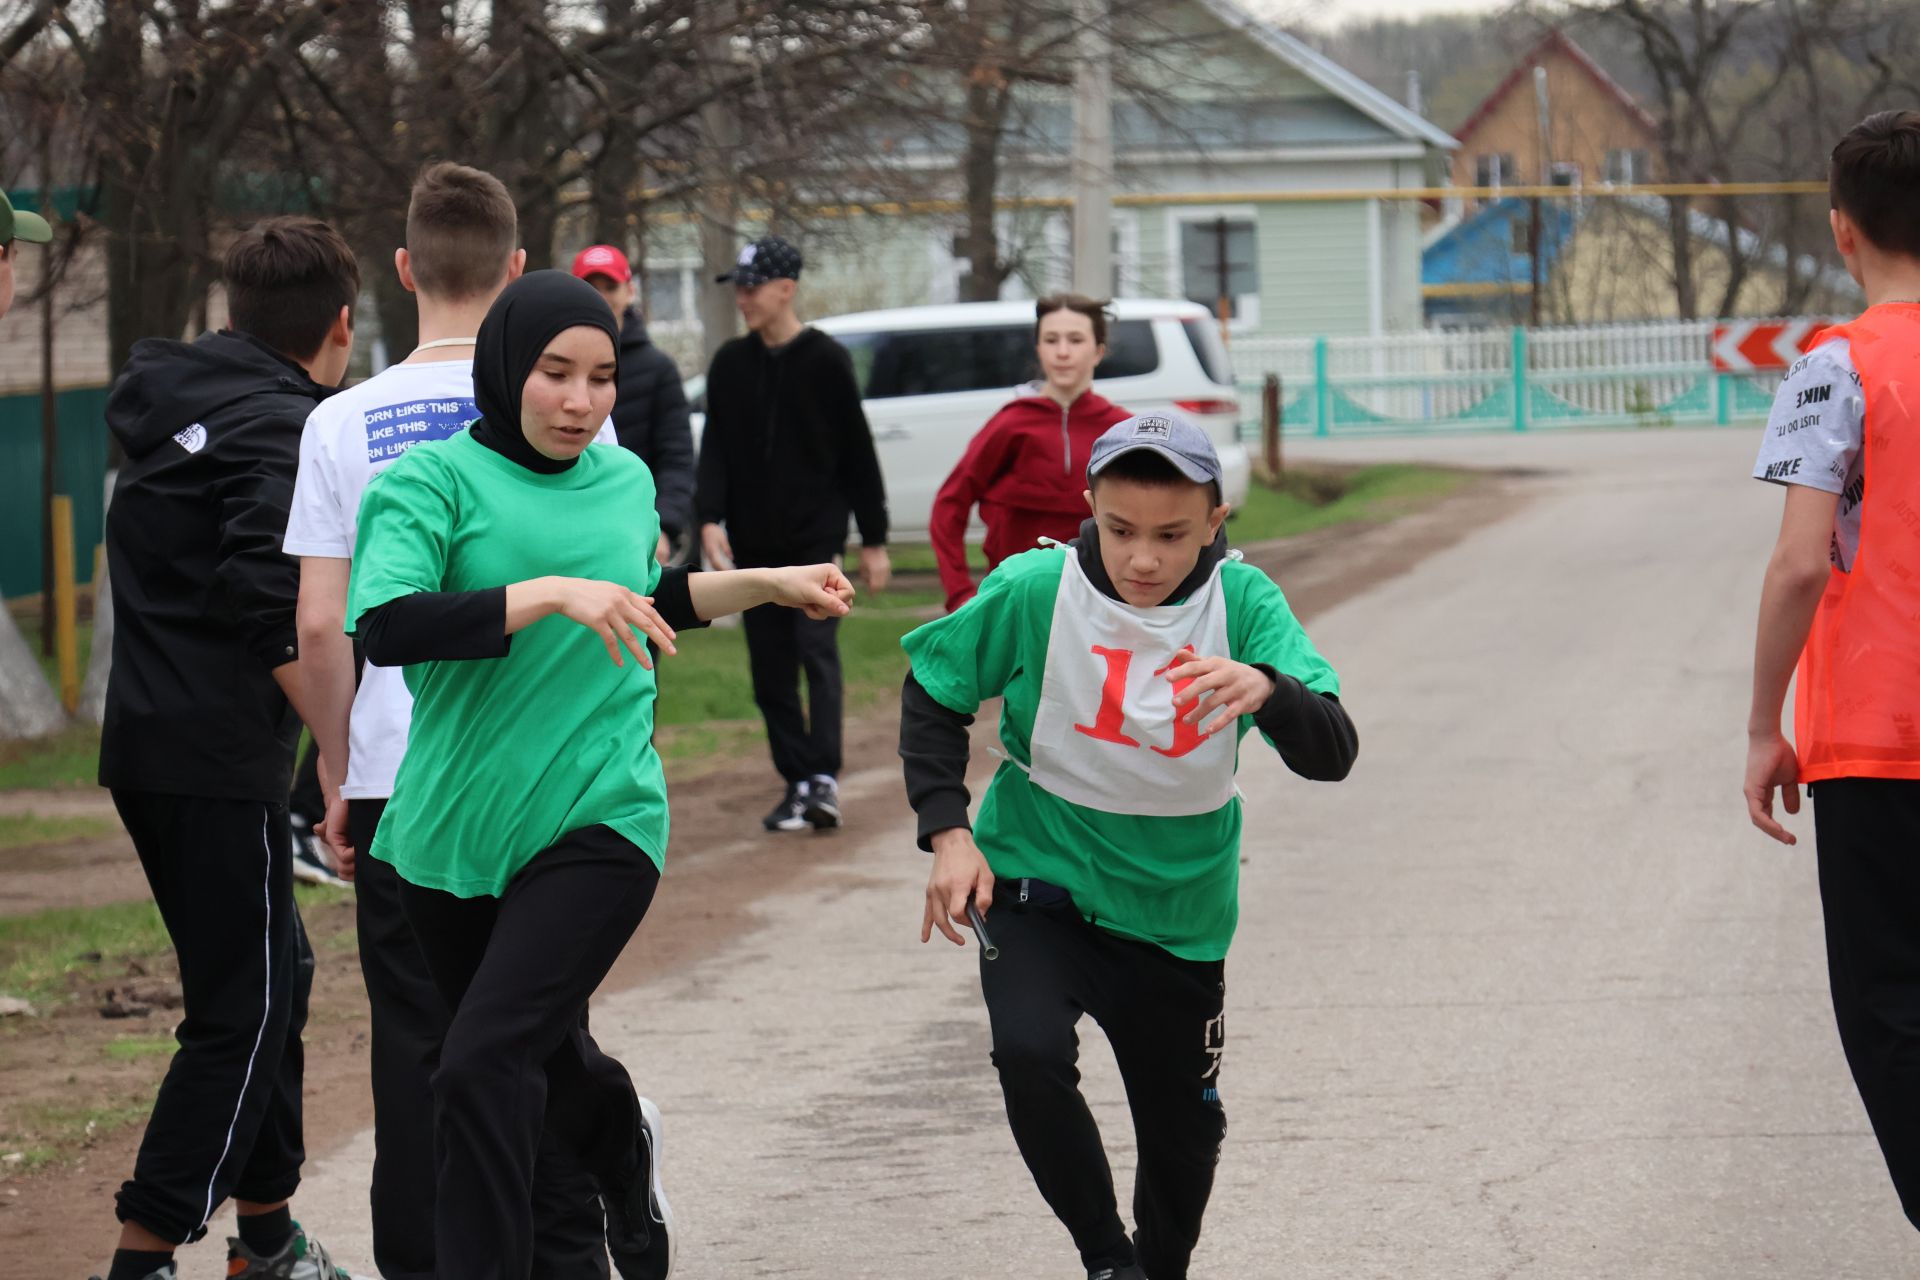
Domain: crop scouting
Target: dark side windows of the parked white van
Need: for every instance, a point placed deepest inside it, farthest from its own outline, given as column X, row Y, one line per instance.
column 996, row 358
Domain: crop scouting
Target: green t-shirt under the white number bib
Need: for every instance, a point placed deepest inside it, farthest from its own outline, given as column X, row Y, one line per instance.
column 1172, row 882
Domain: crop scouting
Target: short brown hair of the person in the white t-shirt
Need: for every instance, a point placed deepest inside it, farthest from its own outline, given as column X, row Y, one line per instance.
column 462, row 229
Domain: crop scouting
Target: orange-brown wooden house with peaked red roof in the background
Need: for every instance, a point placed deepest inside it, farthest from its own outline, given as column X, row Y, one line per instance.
column 1596, row 130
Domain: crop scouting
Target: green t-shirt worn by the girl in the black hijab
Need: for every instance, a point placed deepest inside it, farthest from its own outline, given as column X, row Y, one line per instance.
column 508, row 755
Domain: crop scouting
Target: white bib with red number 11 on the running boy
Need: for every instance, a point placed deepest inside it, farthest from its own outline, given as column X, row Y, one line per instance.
column 1105, row 734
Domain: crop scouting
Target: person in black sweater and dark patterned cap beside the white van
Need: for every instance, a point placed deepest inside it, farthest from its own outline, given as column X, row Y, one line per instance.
column 784, row 462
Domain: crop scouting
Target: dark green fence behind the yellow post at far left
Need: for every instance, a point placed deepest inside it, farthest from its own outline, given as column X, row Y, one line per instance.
column 80, row 471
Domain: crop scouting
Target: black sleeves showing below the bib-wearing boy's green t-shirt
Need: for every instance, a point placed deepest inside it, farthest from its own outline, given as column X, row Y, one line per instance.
column 1312, row 732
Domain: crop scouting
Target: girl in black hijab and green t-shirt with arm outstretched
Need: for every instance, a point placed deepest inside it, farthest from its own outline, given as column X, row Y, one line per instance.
column 512, row 573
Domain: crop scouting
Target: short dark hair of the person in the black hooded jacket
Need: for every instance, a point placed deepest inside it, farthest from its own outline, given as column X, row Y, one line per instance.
column 287, row 281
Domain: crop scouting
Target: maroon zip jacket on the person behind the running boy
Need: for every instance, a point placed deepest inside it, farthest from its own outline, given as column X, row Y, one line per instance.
column 1028, row 475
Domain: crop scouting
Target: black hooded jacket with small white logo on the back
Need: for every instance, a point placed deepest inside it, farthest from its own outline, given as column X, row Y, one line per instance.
column 203, row 594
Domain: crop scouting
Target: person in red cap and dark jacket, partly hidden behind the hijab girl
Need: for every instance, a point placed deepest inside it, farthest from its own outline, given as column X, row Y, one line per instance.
column 650, row 414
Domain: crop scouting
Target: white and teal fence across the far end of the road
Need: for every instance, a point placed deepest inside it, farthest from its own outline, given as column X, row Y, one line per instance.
column 1516, row 381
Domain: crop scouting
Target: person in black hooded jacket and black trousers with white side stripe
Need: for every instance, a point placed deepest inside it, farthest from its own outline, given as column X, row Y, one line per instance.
column 201, row 728
